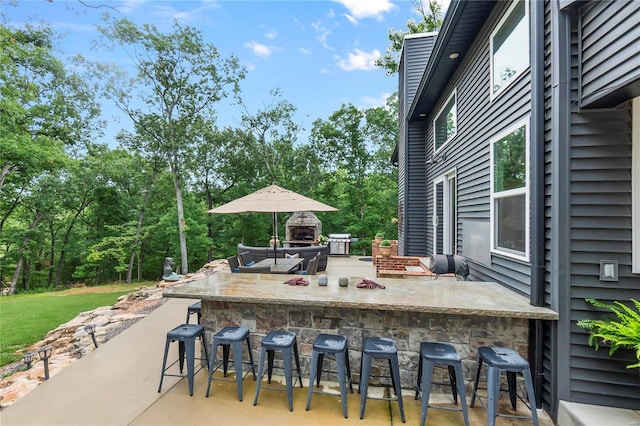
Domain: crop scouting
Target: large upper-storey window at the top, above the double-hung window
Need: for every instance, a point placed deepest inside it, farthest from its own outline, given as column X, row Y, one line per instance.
column 509, row 47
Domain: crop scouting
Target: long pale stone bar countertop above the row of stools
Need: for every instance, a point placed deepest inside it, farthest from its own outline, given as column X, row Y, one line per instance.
column 410, row 295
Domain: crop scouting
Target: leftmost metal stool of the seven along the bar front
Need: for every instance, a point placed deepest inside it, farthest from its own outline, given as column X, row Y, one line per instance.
column 185, row 335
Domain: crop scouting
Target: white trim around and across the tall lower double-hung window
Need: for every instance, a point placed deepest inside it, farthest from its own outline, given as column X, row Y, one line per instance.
column 525, row 191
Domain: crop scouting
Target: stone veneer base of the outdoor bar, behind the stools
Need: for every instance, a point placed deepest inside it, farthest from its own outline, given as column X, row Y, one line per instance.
column 465, row 332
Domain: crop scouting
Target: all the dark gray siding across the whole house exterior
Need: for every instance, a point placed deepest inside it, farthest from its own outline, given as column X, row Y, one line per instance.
column 584, row 102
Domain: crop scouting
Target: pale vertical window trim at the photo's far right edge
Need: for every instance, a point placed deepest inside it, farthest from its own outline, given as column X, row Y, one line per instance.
column 635, row 185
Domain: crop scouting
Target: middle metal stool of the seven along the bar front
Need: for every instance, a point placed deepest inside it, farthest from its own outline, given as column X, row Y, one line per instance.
column 329, row 344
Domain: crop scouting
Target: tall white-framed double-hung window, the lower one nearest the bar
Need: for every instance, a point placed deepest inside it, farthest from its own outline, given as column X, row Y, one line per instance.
column 509, row 193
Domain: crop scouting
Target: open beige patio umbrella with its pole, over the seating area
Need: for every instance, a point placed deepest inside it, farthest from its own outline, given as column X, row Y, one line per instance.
column 273, row 199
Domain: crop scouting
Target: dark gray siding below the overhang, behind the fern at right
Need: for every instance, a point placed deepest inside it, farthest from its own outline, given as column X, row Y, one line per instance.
column 600, row 229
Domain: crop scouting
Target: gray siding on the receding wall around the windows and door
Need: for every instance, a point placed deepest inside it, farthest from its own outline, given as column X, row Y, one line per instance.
column 479, row 120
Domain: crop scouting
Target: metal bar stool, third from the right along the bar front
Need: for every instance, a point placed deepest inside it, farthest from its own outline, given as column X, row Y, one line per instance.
column 384, row 348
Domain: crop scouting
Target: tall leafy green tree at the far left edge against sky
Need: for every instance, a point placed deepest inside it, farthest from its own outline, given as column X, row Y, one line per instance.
column 45, row 112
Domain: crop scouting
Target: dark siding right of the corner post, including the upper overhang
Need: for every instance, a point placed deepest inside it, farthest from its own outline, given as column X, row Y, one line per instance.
column 600, row 192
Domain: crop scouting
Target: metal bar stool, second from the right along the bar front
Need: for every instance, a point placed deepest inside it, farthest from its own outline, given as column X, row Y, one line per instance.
column 443, row 354
